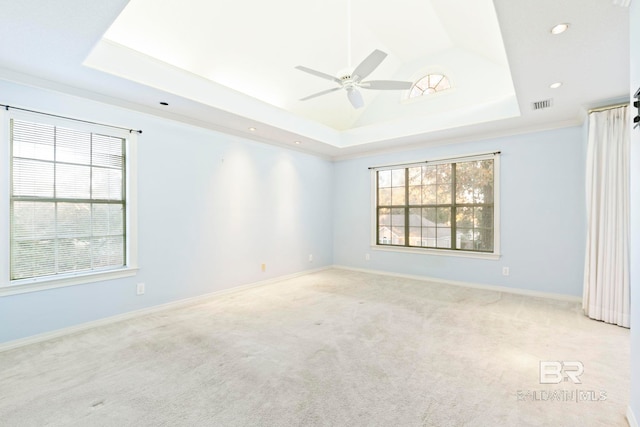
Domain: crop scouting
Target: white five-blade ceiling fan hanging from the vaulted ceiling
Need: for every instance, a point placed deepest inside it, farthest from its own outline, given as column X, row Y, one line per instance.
column 351, row 82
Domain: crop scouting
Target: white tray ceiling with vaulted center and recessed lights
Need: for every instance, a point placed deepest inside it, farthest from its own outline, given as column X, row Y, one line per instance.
column 228, row 65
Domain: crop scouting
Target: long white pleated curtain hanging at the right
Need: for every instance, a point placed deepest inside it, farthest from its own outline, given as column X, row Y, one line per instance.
column 606, row 275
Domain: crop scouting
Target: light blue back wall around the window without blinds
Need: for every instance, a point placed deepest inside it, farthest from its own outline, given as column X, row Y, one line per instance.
column 542, row 210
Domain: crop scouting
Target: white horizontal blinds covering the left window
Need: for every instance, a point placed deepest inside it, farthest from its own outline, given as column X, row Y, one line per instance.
column 67, row 200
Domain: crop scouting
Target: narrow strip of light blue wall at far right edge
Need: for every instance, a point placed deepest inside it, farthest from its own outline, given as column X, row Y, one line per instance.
column 635, row 215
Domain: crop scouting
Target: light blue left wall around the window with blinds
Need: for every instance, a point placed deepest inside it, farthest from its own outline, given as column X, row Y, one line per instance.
column 212, row 209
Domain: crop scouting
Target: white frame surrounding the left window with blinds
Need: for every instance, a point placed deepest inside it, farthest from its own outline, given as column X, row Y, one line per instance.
column 10, row 287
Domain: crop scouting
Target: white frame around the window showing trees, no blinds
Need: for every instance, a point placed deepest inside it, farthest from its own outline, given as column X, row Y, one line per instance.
column 496, row 254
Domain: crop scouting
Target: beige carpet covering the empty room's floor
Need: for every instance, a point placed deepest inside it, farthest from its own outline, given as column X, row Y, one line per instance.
column 334, row 348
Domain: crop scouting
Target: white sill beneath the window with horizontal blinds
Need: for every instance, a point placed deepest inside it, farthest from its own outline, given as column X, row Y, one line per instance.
column 41, row 284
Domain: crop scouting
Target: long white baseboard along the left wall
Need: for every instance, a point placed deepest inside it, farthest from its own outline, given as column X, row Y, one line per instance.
column 10, row 345
